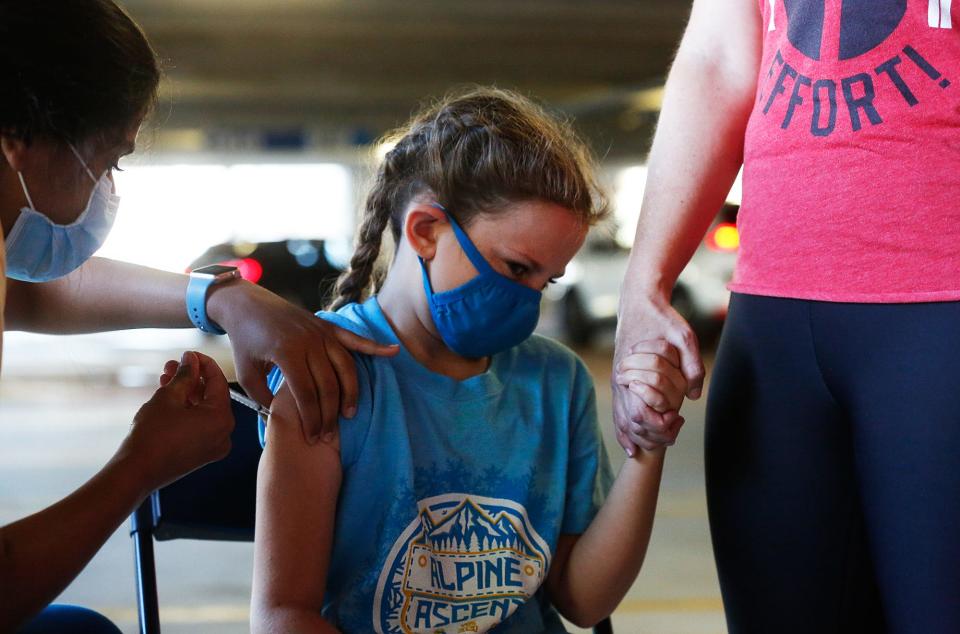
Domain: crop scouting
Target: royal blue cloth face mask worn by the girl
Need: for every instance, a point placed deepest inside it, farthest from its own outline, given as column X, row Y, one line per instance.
column 488, row 314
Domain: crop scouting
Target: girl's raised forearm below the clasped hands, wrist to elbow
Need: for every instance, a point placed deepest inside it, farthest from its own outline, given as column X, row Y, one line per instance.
column 591, row 573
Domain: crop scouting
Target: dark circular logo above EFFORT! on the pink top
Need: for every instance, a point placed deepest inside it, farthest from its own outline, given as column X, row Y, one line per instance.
column 864, row 25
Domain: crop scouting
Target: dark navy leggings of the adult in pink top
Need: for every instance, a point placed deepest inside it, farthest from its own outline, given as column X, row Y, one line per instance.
column 833, row 467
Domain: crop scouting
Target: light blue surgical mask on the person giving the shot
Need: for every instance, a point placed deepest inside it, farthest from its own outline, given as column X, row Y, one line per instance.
column 38, row 250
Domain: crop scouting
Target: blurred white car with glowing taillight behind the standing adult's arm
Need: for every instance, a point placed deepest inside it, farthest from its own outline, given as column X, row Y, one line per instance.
column 588, row 295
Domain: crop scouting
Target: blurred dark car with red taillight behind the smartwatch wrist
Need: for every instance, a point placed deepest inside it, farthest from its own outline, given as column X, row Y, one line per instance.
column 302, row 271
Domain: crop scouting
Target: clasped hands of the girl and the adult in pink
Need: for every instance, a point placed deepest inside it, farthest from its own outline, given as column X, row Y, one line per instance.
column 643, row 412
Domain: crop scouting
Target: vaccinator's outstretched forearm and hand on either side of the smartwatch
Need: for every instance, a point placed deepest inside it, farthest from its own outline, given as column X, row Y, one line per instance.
column 265, row 330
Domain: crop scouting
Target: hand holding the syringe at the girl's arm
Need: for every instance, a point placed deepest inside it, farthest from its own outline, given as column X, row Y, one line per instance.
column 186, row 424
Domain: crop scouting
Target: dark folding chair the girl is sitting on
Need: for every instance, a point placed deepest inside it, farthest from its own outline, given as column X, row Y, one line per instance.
column 215, row 502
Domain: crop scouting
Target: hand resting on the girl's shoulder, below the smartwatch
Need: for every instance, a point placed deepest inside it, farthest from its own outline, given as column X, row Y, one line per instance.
column 314, row 355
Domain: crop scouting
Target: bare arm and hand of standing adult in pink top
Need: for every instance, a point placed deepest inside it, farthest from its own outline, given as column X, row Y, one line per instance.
column 696, row 153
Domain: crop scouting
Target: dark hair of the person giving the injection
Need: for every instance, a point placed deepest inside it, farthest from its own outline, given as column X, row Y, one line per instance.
column 73, row 70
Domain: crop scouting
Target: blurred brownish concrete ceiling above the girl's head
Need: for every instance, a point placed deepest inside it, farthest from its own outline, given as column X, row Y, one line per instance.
column 342, row 65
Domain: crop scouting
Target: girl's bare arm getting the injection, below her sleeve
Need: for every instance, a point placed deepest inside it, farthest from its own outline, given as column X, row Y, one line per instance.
column 297, row 489
